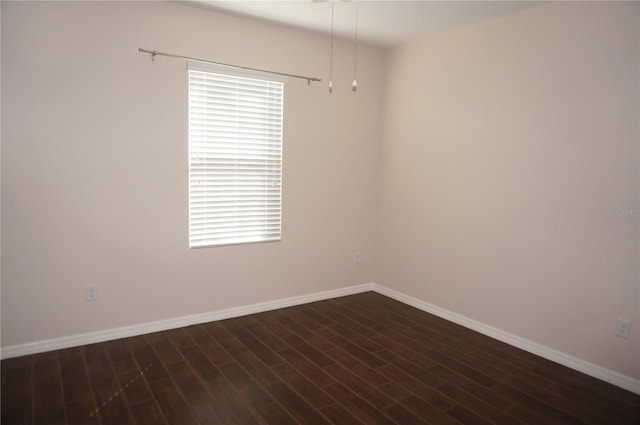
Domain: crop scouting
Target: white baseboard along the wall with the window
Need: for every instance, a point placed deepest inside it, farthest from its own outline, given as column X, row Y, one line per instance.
column 178, row 322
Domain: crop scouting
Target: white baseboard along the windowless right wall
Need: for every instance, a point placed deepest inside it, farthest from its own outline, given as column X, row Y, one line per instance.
column 580, row 365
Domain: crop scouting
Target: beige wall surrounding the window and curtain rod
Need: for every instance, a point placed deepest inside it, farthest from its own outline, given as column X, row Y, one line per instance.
column 94, row 167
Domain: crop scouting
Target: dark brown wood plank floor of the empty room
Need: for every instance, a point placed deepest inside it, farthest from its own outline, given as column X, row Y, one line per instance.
column 362, row 359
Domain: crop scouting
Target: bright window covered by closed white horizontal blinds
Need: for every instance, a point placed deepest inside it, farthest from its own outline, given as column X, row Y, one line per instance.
column 235, row 156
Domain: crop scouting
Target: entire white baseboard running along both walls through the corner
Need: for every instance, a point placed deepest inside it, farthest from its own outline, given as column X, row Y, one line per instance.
column 591, row 369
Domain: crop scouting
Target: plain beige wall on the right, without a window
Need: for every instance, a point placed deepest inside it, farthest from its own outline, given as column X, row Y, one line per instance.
column 506, row 143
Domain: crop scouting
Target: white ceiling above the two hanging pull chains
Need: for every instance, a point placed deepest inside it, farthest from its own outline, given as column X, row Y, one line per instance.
column 381, row 23
